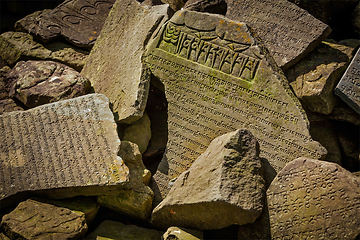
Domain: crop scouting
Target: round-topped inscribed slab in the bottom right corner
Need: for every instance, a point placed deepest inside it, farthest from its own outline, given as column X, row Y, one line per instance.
column 316, row 199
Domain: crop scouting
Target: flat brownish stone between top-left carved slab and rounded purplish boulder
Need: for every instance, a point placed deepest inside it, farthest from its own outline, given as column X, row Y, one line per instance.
column 15, row 46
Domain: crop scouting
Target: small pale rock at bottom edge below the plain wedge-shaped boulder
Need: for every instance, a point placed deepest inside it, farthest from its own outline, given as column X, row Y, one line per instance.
column 176, row 233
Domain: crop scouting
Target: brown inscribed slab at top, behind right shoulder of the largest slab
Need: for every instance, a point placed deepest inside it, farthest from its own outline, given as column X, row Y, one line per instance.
column 288, row 31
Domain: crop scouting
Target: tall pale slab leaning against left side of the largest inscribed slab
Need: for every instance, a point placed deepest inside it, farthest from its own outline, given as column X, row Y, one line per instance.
column 114, row 65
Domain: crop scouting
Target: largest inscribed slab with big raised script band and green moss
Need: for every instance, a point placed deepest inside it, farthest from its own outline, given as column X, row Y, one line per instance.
column 218, row 78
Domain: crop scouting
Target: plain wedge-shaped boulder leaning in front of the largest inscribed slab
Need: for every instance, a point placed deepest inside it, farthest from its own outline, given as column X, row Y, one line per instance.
column 223, row 187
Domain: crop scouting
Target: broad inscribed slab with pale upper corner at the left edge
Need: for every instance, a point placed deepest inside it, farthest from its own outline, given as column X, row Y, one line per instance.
column 68, row 148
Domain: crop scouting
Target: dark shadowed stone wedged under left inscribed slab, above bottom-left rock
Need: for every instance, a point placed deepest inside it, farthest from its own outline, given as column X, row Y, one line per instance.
column 83, row 205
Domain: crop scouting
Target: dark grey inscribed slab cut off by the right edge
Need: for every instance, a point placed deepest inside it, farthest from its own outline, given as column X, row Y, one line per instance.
column 348, row 88
